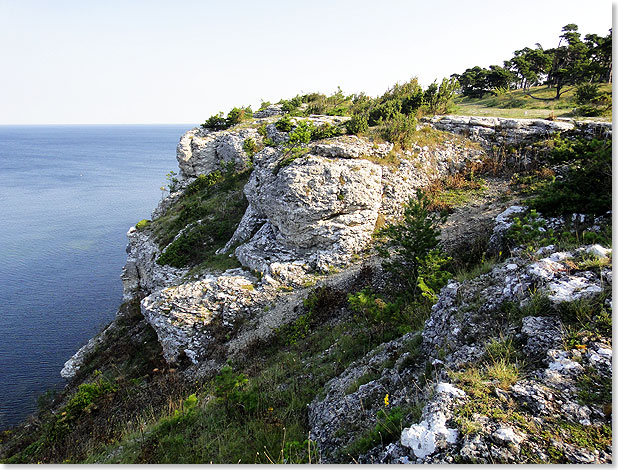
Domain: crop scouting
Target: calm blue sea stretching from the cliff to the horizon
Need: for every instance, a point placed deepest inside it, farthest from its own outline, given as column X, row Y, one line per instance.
column 68, row 195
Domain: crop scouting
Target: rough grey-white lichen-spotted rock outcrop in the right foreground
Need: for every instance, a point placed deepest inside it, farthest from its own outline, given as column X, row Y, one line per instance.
column 467, row 317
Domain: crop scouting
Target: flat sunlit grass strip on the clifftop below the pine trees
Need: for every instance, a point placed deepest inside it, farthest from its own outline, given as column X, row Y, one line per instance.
column 516, row 104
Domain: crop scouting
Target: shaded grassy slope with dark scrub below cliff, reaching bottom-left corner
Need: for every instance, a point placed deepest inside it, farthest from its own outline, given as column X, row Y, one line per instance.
column 264, row 419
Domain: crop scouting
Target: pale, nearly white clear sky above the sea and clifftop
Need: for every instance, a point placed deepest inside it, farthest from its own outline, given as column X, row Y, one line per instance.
column 180, row 61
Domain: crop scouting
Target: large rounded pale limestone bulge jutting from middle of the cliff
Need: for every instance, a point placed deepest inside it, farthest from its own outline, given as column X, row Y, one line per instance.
column 315, row 210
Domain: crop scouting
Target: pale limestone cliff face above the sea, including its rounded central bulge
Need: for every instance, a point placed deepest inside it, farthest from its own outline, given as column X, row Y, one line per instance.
column 304, row 218
